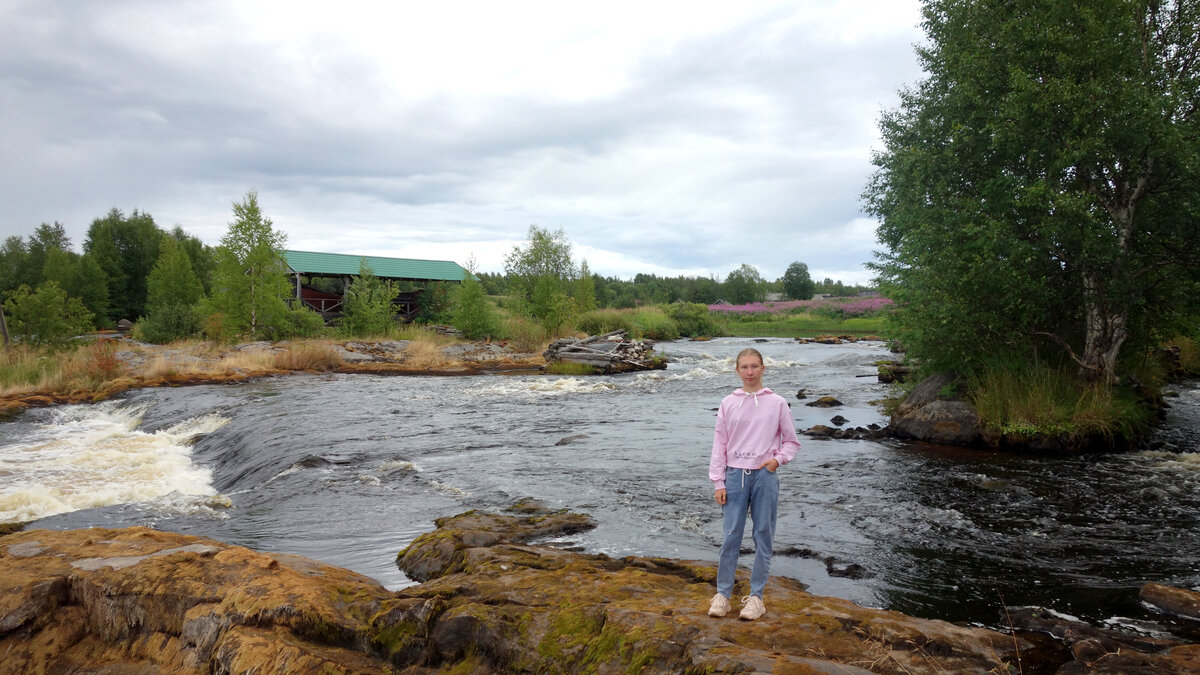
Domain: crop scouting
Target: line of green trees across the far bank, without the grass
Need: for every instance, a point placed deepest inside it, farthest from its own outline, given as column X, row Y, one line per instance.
column 171, row 285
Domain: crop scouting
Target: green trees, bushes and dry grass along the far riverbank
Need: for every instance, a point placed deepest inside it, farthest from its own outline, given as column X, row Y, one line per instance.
column 169, row 289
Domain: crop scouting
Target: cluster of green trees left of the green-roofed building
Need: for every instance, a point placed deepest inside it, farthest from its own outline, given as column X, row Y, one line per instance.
column 169, row 283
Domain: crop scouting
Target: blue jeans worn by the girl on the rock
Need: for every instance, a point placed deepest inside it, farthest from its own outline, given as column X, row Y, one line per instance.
column 757, row 491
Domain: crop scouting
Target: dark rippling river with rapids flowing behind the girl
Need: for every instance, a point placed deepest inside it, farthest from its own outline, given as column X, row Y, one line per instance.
column 350, row 469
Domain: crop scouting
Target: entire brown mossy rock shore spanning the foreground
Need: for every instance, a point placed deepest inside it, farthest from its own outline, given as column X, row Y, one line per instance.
column 491, row 601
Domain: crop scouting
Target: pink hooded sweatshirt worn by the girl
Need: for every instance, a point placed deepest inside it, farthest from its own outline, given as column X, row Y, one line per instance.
column 751, row 431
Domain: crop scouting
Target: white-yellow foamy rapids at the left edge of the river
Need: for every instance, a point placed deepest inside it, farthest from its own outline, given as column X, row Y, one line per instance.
column 87, row 457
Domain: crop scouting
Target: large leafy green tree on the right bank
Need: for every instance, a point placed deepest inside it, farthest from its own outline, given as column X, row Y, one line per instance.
column 1043, row 180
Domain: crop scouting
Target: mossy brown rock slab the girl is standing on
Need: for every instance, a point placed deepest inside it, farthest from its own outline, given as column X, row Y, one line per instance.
column 579, row 612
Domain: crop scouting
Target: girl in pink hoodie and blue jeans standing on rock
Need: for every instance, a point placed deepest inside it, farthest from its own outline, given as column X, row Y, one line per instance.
column 755, row 435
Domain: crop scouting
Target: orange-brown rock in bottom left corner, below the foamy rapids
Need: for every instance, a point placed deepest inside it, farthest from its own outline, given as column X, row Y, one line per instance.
column 141, row 601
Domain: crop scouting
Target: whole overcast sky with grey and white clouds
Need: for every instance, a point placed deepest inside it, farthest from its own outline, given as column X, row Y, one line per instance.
column 671, row 139
